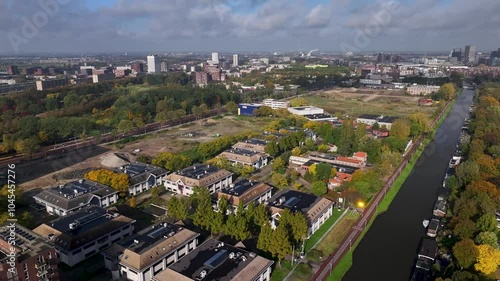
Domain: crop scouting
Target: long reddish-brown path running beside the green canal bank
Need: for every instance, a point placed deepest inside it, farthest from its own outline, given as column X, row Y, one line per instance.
column 327, row 266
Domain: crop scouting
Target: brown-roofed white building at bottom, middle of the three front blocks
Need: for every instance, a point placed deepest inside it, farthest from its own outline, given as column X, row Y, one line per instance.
column 142, row 256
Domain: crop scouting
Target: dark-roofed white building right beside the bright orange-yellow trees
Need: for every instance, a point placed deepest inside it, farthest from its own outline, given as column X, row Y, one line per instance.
column 142, row 176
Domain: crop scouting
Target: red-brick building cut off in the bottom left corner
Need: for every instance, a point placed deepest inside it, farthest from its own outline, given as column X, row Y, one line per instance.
column 34, row 259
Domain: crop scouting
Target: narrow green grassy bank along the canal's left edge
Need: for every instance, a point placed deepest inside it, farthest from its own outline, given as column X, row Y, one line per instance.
column 346, row 261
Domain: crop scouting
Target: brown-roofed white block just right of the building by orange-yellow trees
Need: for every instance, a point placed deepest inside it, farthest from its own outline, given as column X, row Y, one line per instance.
column 200, row 175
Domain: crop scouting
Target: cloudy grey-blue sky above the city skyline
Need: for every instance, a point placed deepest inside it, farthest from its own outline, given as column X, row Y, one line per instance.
column 74, row 26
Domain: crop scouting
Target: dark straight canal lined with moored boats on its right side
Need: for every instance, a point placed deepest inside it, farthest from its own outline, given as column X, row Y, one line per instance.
column 388, row 250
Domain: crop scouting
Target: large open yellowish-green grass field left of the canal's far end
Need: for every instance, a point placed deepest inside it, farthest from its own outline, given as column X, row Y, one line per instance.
column 355, row 103
